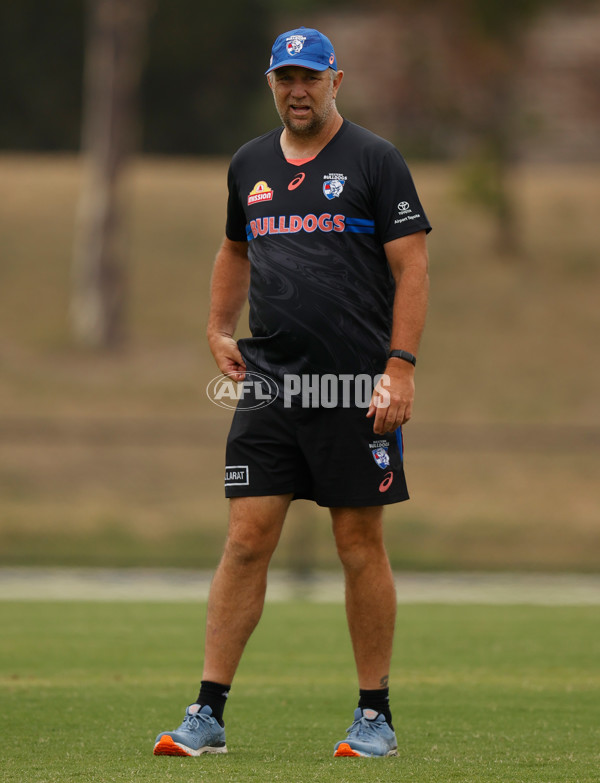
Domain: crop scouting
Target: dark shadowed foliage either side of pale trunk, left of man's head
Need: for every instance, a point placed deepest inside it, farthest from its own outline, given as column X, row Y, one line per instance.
column 201, row 90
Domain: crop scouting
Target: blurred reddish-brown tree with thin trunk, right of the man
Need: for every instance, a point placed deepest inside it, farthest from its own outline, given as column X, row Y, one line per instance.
column 459, row 97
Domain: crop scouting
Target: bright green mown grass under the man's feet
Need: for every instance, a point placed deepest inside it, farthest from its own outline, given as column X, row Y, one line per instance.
column 503, row 693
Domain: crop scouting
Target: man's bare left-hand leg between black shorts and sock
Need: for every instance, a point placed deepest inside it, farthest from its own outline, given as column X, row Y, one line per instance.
column 237, row 592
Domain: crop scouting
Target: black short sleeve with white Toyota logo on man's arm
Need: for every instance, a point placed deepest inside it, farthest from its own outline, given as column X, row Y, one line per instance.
column 398, row 209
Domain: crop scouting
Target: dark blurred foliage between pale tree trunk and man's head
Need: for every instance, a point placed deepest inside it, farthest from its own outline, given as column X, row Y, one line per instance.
column 201, row 88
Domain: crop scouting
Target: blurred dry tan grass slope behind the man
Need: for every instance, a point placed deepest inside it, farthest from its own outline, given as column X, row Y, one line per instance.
column 509, row 340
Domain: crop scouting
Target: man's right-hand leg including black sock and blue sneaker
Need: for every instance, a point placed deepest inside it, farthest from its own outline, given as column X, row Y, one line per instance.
column 371, row 612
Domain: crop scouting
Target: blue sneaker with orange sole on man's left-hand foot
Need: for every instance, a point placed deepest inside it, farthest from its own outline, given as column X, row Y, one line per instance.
column 199, row 733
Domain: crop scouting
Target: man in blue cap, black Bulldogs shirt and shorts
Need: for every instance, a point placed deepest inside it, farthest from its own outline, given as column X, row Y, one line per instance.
column 326, row 235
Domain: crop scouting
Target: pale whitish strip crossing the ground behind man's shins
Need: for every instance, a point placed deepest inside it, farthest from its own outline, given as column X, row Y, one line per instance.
column 49, row 584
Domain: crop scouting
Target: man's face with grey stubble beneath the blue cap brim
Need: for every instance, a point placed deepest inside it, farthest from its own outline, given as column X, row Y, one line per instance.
column 304, row 99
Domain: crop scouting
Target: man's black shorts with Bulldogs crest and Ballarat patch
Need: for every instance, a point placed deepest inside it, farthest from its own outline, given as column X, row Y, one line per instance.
column 329, row 455
